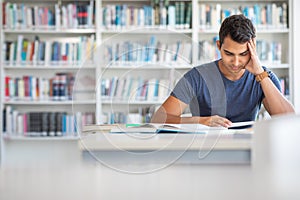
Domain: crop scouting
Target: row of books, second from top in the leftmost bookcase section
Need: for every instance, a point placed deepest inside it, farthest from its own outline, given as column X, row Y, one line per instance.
column 39, row 52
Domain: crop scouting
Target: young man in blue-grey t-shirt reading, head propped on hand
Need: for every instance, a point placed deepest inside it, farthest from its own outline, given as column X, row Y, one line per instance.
column 227, row 90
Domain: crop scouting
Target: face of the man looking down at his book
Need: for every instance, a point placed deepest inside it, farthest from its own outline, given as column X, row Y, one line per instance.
column 234, row 55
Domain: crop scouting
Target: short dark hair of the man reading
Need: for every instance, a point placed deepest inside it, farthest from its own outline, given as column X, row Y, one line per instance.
column 238, row 27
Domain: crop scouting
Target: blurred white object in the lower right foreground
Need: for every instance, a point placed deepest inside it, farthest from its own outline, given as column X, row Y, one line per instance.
column 276, row 158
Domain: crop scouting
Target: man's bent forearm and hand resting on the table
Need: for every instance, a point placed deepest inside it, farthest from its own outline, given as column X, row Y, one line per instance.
column 172, row 108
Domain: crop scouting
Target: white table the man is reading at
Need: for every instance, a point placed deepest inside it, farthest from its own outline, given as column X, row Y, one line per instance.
column 127, row 150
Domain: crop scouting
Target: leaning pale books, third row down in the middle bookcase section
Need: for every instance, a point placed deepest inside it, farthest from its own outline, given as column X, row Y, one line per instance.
column 135, row 89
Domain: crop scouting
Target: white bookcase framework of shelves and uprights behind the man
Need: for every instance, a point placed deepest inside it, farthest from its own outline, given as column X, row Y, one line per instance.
column 161, row 70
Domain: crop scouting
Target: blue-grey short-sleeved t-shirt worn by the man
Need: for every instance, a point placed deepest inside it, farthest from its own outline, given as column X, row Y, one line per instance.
column 208, row 92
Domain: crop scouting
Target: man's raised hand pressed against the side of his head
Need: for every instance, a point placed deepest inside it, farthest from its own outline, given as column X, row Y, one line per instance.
column 253, row 66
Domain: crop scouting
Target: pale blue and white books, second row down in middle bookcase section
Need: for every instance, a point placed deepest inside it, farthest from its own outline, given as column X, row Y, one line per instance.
column 149, row 51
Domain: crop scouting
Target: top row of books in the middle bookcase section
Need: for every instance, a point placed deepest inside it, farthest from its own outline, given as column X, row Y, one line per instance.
column 176, row 15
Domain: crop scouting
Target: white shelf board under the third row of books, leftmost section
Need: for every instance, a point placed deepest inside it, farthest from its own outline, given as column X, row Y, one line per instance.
column 54, row 103
